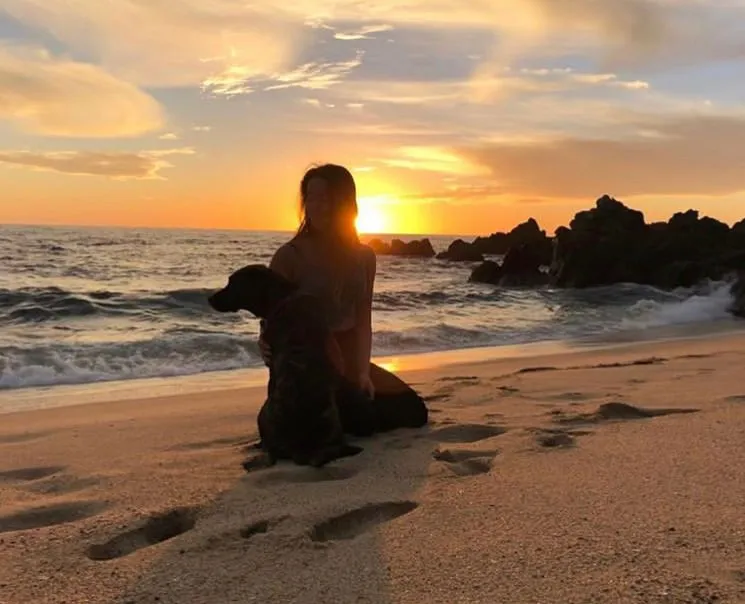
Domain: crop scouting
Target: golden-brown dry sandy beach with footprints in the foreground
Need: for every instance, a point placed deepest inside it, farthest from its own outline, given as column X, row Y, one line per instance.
column 611, row 475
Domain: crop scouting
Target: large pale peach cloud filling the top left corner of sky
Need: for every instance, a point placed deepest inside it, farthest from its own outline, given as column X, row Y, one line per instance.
column 164, row 43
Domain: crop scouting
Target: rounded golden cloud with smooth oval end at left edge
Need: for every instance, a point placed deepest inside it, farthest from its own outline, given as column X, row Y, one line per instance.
column 61, row 97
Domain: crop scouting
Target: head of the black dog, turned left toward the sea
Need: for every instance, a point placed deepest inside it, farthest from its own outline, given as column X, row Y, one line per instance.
column 255, row 288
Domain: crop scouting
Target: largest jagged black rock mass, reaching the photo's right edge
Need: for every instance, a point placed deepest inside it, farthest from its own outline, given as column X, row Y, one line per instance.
column 611, row 243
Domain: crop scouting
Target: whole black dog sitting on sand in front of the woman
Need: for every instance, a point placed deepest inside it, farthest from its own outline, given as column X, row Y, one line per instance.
column 300, row 419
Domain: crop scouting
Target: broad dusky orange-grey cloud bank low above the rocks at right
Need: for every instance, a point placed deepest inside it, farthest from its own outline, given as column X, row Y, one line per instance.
column 683, row 156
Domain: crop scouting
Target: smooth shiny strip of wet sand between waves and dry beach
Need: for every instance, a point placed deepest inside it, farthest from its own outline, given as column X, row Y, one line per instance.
column 33, row 398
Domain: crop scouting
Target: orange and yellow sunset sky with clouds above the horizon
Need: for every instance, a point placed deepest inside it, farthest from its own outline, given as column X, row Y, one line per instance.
column 455, row 117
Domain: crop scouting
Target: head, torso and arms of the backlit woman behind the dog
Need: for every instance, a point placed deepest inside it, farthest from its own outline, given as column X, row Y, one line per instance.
column 326, row 258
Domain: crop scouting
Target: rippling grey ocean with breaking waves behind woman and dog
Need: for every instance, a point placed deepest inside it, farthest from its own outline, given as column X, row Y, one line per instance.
column 85, row 305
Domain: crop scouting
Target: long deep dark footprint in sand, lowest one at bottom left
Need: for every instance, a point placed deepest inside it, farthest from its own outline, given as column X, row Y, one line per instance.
column 156, row 529
